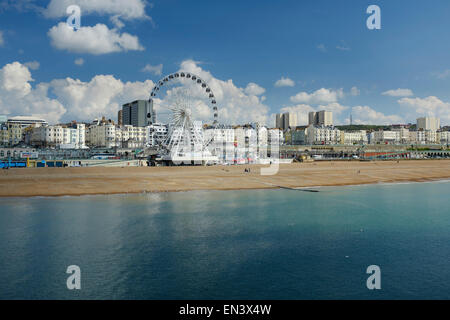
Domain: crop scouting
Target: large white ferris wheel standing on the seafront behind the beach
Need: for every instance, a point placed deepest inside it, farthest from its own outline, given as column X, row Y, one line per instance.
column 186, row 103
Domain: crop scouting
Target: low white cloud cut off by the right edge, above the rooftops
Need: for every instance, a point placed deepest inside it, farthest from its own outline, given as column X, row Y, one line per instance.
column 430, row 106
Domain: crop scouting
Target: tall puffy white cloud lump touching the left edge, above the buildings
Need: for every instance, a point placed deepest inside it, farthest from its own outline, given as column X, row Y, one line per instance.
column 17, row 97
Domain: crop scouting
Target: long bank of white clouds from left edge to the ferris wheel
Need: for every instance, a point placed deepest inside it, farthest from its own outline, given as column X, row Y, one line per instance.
column 74, row 99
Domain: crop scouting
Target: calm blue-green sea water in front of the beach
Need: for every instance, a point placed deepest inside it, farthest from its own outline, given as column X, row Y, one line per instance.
column 257, row 244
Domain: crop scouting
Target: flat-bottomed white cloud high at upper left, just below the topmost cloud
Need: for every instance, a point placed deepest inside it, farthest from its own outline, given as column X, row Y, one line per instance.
column 93, row 40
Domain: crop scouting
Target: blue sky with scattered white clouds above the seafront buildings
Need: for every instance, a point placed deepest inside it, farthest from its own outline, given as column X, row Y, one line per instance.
column 260, row 57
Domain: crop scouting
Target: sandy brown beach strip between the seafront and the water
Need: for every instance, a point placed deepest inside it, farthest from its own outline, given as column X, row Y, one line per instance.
column 83, row 181
